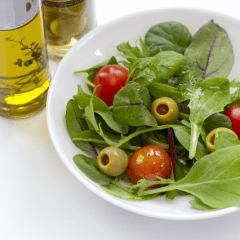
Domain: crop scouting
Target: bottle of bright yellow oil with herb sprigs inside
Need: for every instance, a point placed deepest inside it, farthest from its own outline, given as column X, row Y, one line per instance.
column 24, row 71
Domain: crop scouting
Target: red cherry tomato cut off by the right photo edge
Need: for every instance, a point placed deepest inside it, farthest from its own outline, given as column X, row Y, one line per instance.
column 234, row 114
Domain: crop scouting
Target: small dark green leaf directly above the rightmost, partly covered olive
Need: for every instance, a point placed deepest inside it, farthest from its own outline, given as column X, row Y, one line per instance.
column 217, row 120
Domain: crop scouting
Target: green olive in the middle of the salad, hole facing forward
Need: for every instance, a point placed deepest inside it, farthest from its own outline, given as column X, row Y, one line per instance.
column 165, row 110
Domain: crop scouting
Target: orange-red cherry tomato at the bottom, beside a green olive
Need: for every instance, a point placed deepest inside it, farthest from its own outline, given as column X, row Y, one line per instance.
column 149, row 161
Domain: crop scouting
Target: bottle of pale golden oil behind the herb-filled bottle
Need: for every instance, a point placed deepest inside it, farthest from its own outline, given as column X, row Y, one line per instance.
column 65, row 23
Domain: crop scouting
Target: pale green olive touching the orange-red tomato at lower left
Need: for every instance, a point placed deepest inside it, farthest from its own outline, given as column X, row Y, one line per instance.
column 112, row 161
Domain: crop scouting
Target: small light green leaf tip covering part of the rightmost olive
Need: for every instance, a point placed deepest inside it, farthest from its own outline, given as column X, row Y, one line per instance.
column 225, row 139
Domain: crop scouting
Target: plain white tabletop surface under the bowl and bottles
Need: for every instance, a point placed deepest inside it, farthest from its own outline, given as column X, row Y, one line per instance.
column 41, row 200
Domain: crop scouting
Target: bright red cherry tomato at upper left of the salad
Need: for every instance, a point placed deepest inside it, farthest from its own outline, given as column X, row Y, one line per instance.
column 111, row 78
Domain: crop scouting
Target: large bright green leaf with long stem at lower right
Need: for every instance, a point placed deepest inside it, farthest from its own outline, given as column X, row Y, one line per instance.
column 214, row 179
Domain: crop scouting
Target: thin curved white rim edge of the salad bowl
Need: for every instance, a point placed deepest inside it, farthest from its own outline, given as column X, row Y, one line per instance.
column 109, row 198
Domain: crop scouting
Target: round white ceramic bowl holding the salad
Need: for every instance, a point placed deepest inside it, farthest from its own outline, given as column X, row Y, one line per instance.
column 98, row 46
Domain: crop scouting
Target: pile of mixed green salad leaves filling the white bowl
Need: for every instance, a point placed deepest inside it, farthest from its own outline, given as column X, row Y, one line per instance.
column 193, row 71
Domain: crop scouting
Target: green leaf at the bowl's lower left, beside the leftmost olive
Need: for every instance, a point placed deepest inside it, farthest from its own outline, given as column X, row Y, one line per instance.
column 89, row 167
